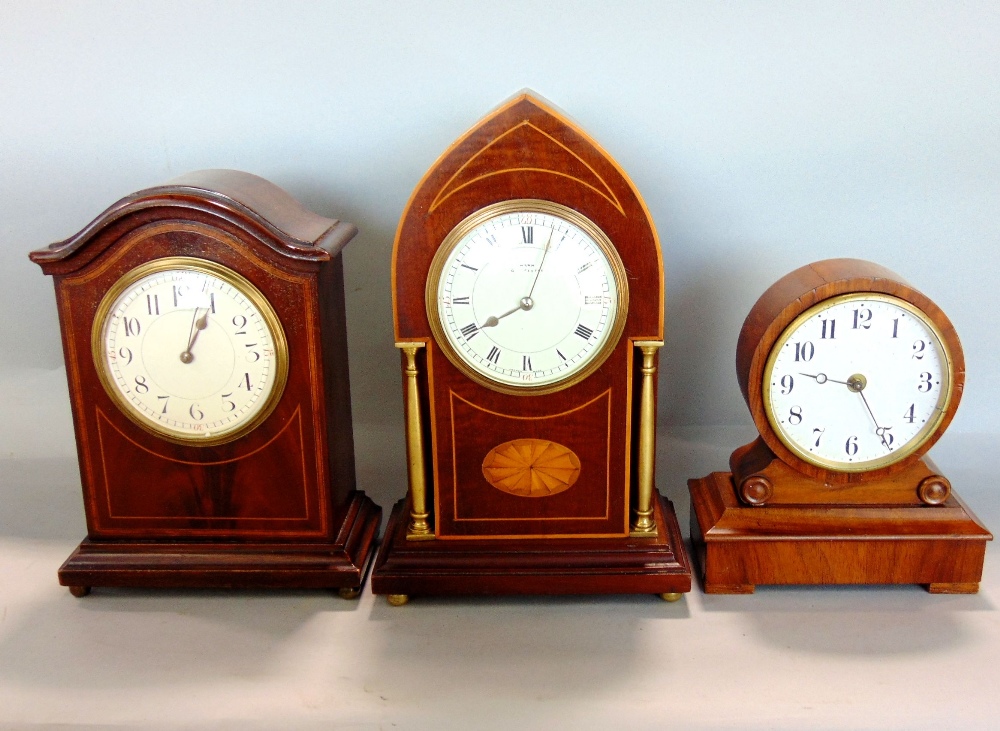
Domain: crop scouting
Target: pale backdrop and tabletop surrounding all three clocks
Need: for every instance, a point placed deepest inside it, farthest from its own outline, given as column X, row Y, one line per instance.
column 762, row 135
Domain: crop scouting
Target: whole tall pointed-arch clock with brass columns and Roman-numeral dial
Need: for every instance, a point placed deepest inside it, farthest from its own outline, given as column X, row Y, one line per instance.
column 528, row 303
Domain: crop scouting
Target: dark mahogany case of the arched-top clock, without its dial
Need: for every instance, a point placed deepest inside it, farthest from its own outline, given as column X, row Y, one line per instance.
column 277, row 507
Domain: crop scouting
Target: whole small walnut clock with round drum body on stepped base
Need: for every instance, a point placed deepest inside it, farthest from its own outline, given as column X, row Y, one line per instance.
column 851, row 375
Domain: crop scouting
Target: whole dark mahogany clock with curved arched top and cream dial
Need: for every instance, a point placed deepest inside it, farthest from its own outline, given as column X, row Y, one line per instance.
column 206, row 351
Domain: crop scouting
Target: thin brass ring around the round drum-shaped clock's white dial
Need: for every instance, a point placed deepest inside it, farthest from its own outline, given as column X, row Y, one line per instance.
column 921, row 438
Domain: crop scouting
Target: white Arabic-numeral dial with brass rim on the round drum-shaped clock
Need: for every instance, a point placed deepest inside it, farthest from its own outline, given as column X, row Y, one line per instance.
column 857, row 382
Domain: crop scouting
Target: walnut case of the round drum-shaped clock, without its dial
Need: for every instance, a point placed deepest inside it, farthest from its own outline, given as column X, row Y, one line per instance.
column 777, row 519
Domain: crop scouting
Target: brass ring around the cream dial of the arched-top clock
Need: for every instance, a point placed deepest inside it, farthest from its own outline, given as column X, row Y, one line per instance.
column 238, row 282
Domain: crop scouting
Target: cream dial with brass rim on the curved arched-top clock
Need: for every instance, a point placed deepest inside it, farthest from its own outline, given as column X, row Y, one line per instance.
column 190, row 350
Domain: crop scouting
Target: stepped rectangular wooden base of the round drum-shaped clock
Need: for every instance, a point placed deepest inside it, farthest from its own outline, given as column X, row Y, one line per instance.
column 738, row 546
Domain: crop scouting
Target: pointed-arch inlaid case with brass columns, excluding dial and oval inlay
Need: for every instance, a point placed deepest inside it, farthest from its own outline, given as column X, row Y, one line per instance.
column 458, row 534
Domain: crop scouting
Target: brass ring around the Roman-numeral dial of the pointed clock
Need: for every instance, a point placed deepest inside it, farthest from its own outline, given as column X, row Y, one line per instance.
column 532, row 205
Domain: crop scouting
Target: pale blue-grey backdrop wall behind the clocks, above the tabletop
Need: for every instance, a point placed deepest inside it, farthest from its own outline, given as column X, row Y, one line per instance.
column 761, row 135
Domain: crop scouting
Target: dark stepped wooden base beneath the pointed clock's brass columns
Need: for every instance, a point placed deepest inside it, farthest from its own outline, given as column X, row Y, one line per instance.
column 533, row 566
